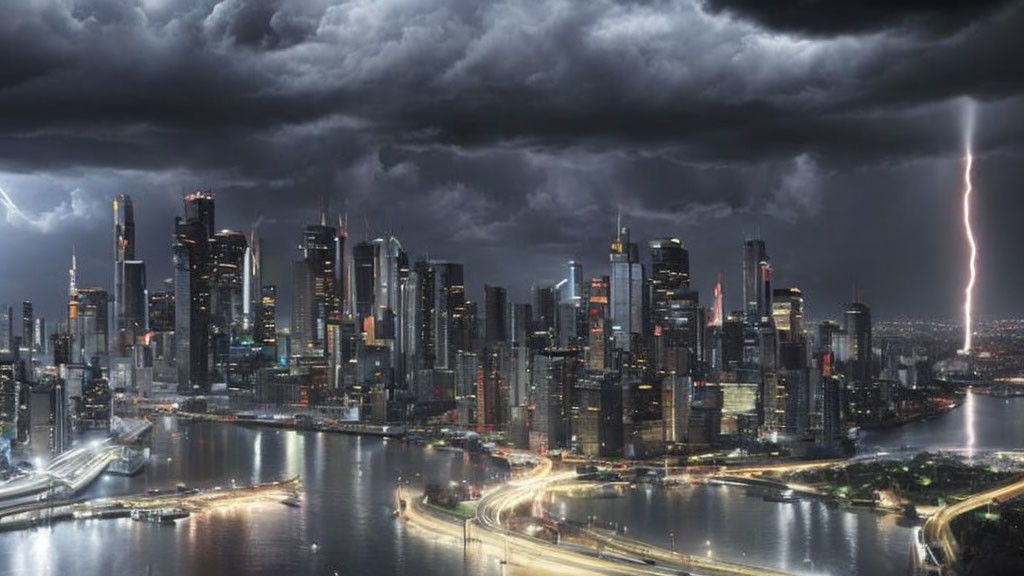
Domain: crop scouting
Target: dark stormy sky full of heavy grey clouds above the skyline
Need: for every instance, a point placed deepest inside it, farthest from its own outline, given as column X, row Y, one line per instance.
column 508, row 135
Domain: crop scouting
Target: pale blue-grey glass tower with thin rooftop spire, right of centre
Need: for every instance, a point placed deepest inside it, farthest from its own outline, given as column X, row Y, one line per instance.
column 626, row 292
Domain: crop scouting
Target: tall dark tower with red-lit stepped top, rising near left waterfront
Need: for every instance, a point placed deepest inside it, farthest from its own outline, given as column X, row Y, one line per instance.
column 192, row 255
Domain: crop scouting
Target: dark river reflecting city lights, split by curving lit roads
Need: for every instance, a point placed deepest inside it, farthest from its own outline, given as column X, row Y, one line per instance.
column 348, row 510
